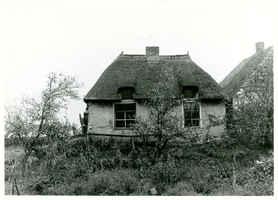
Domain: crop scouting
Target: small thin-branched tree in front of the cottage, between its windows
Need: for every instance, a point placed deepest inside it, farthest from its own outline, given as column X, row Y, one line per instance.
column 163, row 123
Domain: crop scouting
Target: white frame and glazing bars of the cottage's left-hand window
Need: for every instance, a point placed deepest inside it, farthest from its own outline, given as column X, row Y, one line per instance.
column 123, row 102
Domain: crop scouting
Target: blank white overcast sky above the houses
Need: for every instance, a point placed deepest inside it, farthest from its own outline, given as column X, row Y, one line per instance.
column 82, row 39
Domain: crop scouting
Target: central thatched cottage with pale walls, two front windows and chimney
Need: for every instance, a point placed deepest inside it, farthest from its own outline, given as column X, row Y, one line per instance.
column 117, row 98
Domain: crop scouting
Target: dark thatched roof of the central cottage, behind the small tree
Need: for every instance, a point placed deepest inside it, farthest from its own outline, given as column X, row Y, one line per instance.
column 138, row 72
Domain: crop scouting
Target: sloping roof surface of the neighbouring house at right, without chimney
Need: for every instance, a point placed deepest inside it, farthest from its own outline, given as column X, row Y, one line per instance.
column 244, row 70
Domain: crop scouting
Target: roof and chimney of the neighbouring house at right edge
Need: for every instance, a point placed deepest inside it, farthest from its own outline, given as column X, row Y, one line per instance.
column 253, row 71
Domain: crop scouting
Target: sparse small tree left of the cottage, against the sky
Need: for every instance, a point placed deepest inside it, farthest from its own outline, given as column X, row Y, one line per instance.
column 35, row 118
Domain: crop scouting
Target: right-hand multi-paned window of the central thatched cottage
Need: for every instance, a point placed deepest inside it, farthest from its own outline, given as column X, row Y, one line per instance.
column 191, row 114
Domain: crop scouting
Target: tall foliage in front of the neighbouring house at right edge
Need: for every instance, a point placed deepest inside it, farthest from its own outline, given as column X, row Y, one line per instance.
column 250, row 114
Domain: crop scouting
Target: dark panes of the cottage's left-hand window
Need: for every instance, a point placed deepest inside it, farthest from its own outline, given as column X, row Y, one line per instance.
column 125, row 115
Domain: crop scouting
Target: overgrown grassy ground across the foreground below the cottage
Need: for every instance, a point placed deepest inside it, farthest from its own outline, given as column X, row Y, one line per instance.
column 109, row 168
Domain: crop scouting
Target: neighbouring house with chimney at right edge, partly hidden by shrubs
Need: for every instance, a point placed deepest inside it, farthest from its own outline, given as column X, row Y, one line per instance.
column 249, row 91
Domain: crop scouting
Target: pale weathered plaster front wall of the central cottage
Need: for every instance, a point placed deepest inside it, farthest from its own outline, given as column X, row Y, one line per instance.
column 101, row 116
